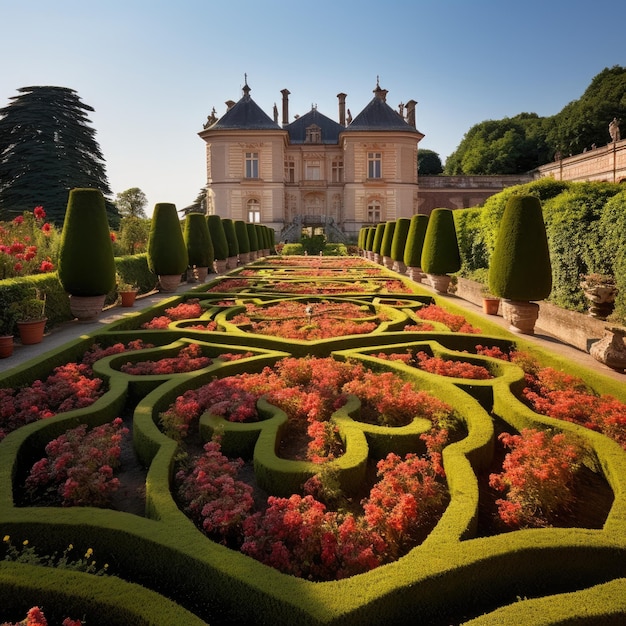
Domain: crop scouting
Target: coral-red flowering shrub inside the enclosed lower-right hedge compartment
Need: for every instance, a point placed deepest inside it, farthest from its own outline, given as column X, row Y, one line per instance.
column 537, row 477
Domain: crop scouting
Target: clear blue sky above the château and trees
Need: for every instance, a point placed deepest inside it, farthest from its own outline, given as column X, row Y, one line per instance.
column 154, row 69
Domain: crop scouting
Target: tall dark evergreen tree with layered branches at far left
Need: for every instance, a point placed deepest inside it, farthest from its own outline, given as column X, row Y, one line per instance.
column 47, row 148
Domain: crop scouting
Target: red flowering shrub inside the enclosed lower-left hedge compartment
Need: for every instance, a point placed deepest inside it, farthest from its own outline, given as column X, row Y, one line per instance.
column 78, row 467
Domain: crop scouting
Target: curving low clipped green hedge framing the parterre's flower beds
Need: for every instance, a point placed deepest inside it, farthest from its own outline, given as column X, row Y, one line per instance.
column 452, row 574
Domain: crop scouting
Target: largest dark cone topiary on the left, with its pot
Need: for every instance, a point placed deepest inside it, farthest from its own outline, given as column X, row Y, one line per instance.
column 86, row 263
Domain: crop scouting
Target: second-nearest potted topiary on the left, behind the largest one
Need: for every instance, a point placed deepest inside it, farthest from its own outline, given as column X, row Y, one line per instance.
column 167, row 252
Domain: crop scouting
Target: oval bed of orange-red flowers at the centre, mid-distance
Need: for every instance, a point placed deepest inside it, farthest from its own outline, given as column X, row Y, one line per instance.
column 298, row 320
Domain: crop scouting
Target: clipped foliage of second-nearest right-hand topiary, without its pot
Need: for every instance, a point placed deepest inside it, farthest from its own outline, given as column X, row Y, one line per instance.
column 440, row 253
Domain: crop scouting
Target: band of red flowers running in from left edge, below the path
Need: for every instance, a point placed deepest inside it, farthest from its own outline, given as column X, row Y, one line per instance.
column 70, row 386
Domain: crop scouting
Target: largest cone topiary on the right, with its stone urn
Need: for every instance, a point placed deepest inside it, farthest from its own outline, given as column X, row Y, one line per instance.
column 520, row 271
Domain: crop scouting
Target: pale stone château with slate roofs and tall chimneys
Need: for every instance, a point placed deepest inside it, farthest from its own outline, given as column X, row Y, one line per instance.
column 313, row 173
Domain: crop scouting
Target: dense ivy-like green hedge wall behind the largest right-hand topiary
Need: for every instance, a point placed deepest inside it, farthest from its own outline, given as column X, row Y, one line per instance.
column 586, row 229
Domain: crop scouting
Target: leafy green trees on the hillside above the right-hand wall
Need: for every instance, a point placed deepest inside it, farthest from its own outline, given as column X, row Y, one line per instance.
column 522, row 143
